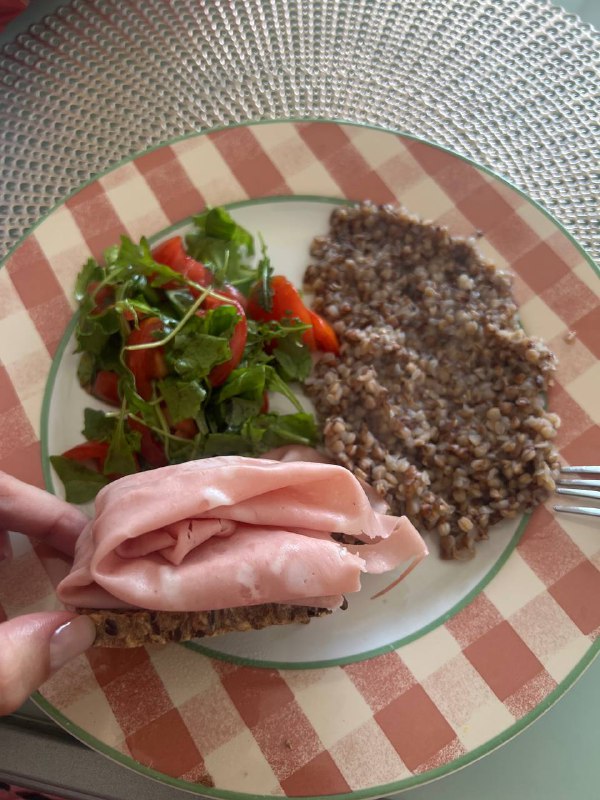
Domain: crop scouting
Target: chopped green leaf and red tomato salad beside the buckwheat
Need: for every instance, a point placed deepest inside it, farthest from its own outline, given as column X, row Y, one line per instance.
column 185, row 342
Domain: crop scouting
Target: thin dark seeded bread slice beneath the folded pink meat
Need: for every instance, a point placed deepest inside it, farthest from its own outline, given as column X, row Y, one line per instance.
column 120, row 628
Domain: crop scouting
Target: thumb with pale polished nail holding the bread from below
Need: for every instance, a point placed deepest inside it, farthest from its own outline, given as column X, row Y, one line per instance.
column 34, row 646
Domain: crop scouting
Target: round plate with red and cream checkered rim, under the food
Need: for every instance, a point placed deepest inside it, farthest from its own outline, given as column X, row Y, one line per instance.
column 459, row 676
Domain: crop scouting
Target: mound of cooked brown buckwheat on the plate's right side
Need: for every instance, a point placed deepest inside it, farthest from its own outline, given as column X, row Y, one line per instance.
column 437, row 396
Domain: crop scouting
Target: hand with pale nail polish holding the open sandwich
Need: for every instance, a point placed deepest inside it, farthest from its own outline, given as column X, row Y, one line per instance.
column 34, row 646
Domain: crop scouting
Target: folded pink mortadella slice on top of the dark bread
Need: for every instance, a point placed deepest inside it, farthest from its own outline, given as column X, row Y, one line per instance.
column 232, row 531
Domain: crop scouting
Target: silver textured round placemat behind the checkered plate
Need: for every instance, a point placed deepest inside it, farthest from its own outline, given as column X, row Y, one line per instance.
column 512, row 84
